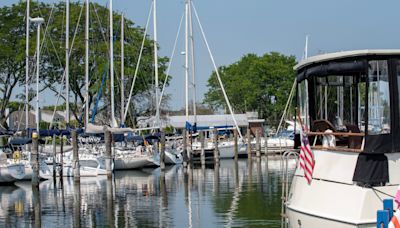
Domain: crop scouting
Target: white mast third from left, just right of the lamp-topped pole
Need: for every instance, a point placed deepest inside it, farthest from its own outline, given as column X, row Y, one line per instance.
column 67, row 62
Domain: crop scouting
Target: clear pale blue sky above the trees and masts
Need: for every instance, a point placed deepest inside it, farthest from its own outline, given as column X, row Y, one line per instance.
column 235, row 28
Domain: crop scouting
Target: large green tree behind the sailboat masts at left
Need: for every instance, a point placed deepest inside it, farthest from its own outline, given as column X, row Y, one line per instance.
column 12, row 57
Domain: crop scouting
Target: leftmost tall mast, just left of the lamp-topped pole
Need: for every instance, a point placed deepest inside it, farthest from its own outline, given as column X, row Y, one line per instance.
column 27, row 66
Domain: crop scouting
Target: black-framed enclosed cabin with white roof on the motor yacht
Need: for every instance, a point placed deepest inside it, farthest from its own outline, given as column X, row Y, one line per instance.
column 349, row 102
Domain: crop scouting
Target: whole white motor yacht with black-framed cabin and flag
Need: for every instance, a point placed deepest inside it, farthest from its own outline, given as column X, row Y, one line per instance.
column 349, row 110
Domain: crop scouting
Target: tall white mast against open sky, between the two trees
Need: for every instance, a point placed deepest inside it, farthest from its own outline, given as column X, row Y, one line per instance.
column 187, row 59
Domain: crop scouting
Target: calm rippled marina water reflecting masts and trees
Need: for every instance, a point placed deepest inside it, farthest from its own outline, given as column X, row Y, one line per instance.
column 243, row 194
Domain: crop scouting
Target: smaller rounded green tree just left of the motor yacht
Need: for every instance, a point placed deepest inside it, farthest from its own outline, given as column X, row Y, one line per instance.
column 259, row 83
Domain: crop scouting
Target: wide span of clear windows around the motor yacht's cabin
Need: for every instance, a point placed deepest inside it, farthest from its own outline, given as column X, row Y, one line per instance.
column 356, row 102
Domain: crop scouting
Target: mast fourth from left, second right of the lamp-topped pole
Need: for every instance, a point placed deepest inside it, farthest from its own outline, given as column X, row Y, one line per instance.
column 87, row 65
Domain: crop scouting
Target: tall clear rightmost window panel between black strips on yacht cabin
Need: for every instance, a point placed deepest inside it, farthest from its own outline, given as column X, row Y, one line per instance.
column 378, row 98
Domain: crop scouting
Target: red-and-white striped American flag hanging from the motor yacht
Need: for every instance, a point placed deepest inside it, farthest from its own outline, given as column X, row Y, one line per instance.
column 306, row 156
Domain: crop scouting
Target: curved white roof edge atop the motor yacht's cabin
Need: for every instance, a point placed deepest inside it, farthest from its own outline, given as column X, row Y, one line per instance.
column 344, row 54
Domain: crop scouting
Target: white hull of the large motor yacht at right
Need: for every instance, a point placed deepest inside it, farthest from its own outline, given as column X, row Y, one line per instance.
column 332, row 199
